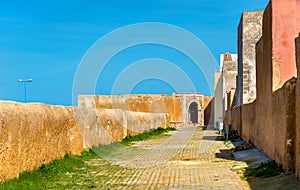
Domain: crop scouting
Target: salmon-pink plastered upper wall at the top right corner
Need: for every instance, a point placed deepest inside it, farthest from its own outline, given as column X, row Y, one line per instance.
column 285, row 28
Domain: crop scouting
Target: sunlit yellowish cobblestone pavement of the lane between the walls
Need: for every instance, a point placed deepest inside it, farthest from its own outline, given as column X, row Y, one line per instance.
column 190, row 159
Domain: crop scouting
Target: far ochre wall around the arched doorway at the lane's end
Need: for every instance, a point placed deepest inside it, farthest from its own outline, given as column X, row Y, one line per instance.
column 173, row 105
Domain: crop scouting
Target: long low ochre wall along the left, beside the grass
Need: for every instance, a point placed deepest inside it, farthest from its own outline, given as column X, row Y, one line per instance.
column 33, row 134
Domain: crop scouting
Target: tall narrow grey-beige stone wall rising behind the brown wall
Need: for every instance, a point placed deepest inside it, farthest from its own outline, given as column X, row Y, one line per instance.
column 249, row 32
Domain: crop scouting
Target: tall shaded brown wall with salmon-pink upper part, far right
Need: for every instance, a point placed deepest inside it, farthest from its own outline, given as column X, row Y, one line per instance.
column 269, row 122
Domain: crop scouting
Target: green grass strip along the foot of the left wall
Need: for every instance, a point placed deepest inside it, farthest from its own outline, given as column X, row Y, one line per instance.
column 69, row 172
